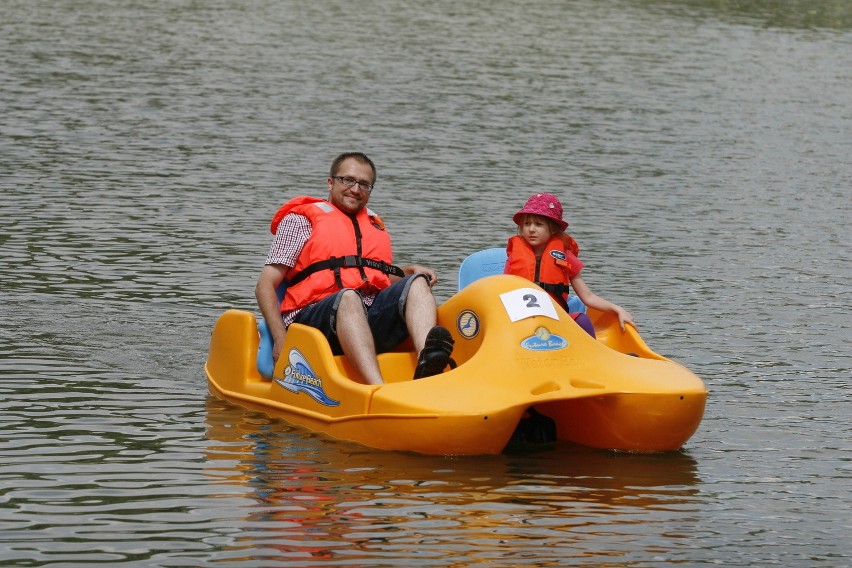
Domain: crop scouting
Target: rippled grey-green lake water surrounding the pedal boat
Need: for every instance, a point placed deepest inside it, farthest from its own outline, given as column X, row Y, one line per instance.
column 701, row 148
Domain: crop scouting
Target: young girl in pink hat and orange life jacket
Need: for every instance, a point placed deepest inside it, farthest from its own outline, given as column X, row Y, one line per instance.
column 545, row 254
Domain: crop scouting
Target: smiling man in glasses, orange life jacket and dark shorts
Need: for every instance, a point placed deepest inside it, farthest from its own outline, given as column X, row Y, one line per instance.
column 336, row 258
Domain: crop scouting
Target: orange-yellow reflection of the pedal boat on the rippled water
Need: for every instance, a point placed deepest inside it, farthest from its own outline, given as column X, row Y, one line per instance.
column 314, row 496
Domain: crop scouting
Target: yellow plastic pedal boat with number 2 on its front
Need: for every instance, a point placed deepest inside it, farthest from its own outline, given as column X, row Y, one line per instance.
column 515, row 349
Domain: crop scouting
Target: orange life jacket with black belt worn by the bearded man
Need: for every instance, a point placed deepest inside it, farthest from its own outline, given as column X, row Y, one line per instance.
column 343, row 251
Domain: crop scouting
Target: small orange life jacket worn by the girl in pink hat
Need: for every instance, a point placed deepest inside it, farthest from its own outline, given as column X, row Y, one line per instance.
column 553, row 271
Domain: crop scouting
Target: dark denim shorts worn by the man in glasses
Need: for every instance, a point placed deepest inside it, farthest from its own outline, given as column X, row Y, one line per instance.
column 386, row 316
